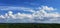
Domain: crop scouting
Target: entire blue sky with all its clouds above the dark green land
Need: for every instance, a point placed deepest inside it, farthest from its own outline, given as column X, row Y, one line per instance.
column 30, row 11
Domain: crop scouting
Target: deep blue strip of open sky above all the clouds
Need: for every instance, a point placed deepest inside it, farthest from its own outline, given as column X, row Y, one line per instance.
column 31, row 3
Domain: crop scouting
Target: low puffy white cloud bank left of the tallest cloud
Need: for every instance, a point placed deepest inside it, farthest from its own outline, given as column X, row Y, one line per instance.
column 16, row 16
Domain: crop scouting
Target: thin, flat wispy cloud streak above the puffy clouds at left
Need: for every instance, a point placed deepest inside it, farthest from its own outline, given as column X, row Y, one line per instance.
column 18, row 8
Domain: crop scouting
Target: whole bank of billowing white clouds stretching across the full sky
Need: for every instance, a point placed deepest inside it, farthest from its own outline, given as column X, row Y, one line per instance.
column 40, row 16
